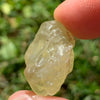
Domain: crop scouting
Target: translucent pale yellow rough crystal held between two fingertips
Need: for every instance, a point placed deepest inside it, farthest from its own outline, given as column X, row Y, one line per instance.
column 49, row 58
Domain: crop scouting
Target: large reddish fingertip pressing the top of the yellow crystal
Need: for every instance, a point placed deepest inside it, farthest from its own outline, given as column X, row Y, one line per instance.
column 81, row 17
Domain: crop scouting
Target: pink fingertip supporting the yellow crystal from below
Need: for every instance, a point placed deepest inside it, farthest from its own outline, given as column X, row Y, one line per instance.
column 29, row 95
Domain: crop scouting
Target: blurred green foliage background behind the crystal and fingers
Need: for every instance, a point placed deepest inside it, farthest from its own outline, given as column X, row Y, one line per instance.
column 19, row 22
